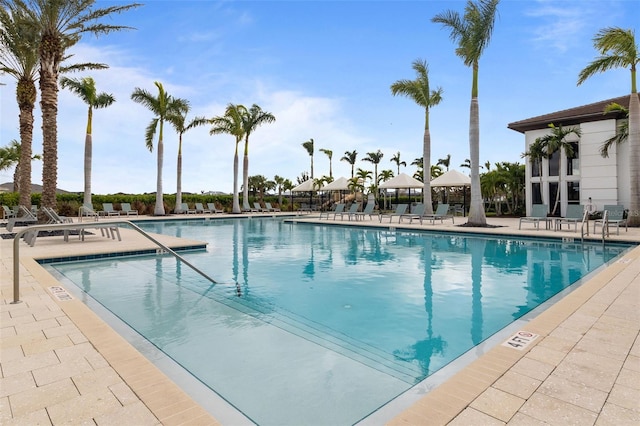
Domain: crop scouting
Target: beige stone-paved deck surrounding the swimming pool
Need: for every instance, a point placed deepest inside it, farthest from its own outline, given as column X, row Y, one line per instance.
column 61, row 364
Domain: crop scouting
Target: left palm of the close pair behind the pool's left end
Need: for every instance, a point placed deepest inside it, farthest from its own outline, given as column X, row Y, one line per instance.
column 164, row 106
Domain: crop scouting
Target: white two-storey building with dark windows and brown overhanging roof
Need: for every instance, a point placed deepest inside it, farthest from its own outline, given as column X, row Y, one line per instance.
column 587, row 174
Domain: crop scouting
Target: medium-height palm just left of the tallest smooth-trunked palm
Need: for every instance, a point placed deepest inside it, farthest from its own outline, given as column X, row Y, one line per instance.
column 419, row 90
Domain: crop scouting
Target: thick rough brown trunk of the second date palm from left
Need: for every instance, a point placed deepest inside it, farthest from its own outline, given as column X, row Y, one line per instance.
column 49, row 108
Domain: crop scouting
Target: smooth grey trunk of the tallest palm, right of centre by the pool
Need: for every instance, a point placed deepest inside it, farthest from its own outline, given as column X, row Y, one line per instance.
column 476, row 208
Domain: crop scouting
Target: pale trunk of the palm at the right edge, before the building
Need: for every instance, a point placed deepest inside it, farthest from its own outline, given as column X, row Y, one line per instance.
column 634, row 159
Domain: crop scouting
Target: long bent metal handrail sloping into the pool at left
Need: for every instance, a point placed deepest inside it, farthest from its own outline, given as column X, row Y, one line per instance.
column 62, row 226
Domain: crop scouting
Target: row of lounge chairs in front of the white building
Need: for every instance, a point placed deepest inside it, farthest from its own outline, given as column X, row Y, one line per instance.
column 575, row 214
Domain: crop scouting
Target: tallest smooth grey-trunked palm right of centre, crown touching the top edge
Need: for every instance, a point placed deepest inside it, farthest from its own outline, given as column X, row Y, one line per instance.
column 472, row 33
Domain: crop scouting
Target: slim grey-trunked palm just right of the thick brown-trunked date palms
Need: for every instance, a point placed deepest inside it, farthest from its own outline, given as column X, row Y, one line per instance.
column 85, row 89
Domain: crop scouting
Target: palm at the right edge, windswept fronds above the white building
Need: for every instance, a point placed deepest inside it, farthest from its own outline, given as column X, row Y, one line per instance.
column 618, row 49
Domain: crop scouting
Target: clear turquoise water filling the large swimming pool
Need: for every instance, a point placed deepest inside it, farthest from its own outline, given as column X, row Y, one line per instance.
column 325, row 324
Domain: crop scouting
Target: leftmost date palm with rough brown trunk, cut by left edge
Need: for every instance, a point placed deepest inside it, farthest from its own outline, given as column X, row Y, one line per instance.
column 19, row 59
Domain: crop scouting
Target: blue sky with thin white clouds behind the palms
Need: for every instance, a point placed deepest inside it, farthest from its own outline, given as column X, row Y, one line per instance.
column 323, row 68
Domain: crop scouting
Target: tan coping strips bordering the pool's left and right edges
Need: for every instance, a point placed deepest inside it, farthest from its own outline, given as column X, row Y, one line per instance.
column 452, row 398
